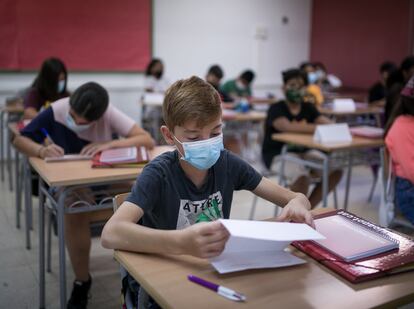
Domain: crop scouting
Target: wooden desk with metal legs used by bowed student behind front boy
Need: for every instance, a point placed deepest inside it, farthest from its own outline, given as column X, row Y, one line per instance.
column 69, row 176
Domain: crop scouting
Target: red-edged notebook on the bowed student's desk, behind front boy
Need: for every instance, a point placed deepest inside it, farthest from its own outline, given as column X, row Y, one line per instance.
column 121, row 157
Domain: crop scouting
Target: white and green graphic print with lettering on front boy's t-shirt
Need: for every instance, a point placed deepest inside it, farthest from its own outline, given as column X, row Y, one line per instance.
column 191, row 210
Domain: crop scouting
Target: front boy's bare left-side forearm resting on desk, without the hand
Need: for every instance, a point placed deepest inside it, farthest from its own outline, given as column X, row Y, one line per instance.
column 134, row 237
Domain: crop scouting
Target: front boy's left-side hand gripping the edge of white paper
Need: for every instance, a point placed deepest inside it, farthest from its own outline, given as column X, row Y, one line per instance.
column 204, row 240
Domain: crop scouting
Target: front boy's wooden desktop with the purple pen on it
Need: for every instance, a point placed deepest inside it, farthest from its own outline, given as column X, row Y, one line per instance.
column 305, row 286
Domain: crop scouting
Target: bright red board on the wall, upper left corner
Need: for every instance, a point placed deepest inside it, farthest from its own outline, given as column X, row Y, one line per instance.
column 86, row 34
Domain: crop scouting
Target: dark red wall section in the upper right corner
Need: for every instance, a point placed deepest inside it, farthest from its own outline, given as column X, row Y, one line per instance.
column 352, row 38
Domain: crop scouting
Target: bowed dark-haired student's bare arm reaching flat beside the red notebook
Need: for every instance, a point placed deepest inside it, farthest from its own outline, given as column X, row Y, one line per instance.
column 135, row 137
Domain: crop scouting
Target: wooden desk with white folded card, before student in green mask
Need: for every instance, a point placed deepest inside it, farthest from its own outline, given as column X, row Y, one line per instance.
column 306, row 140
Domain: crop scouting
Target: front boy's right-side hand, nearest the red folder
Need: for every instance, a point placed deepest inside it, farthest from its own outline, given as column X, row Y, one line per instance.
column 297, row 210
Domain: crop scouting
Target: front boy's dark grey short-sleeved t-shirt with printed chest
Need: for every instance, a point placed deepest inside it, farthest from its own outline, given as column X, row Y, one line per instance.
column 171, row 201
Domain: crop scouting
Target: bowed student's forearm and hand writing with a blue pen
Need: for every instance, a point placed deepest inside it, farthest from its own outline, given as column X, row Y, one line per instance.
column 33, row 149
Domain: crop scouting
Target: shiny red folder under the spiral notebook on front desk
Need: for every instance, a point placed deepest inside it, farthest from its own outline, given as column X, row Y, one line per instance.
column 368, row 268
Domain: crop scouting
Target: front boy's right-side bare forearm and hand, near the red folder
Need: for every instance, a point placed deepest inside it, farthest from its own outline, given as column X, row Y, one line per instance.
column 295, row 205
